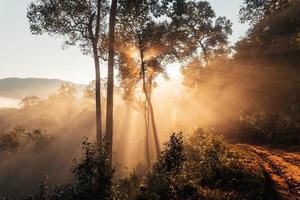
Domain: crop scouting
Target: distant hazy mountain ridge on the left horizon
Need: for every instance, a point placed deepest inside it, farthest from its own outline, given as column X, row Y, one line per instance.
column 16, row 88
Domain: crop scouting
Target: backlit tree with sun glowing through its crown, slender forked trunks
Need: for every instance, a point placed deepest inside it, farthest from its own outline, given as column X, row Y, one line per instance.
column 144, row 50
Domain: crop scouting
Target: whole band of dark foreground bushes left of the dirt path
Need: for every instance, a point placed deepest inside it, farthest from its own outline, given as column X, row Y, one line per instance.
column 202, row 167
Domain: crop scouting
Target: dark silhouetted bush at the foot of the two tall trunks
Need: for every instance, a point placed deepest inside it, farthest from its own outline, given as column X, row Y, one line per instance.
column 93, row 179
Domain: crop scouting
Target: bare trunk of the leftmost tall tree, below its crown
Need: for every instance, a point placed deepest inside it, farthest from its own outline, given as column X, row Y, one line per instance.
column 98, row 96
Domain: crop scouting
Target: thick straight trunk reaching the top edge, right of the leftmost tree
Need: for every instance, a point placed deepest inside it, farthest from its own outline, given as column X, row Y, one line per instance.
column 110, row 80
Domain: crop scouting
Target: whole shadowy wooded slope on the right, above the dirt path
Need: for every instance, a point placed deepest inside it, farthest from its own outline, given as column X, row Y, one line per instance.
column 261, row 79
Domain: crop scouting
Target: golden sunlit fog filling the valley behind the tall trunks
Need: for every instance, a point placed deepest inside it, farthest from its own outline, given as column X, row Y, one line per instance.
column 67, row 121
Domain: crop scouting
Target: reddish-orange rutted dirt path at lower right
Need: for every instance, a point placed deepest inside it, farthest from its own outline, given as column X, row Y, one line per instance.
column 283, row 168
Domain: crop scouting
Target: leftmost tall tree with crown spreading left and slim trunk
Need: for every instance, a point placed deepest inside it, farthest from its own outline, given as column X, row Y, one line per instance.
column 80, row 22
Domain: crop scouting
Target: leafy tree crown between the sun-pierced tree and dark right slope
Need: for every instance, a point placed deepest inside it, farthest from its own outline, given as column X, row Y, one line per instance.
column 201, row 32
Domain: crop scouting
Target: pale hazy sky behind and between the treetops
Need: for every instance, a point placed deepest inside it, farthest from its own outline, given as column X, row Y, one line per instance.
column 26, row 55
